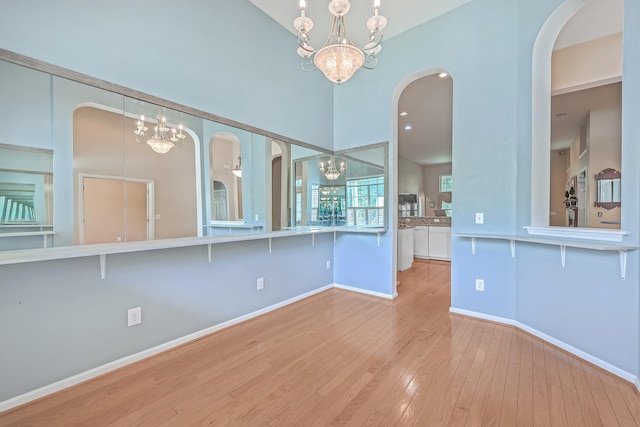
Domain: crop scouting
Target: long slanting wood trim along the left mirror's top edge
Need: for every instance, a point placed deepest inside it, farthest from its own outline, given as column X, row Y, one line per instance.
column 38, row 65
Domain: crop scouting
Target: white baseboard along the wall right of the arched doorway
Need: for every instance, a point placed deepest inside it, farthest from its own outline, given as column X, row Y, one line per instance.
column 560, row 344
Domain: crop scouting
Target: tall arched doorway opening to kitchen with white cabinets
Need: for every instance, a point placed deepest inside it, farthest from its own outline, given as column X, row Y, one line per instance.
column 423, row 194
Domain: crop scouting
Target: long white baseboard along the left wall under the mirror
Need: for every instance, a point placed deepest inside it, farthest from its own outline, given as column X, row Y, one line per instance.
column 116, row 364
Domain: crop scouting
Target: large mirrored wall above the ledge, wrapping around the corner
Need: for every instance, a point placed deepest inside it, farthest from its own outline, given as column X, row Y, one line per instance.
column 84, row 164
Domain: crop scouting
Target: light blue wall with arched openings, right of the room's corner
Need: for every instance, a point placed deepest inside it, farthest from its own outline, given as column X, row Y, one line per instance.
column 487, row 45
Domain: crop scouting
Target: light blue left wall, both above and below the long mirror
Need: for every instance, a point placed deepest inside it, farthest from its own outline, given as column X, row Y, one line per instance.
column 223, row 57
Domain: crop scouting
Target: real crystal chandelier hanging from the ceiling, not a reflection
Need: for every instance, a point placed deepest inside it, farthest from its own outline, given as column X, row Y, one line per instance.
column 339, row 59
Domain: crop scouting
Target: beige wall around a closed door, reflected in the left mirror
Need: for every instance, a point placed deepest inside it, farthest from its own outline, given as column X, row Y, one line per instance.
column 99, row 149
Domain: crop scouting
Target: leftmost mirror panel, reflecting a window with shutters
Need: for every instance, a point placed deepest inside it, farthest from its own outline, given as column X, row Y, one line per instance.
column 26, row 158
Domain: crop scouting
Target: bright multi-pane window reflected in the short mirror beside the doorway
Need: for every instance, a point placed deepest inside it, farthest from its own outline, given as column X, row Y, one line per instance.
column 365, row 201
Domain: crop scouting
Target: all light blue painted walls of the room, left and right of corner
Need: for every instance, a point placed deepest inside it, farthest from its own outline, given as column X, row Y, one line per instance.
column 75, row 321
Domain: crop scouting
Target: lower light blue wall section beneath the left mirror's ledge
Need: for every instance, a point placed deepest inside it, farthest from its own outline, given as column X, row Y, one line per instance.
column 72, row 321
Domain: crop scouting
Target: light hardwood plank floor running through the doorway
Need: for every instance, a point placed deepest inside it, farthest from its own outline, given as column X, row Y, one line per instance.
column 342, row 358
